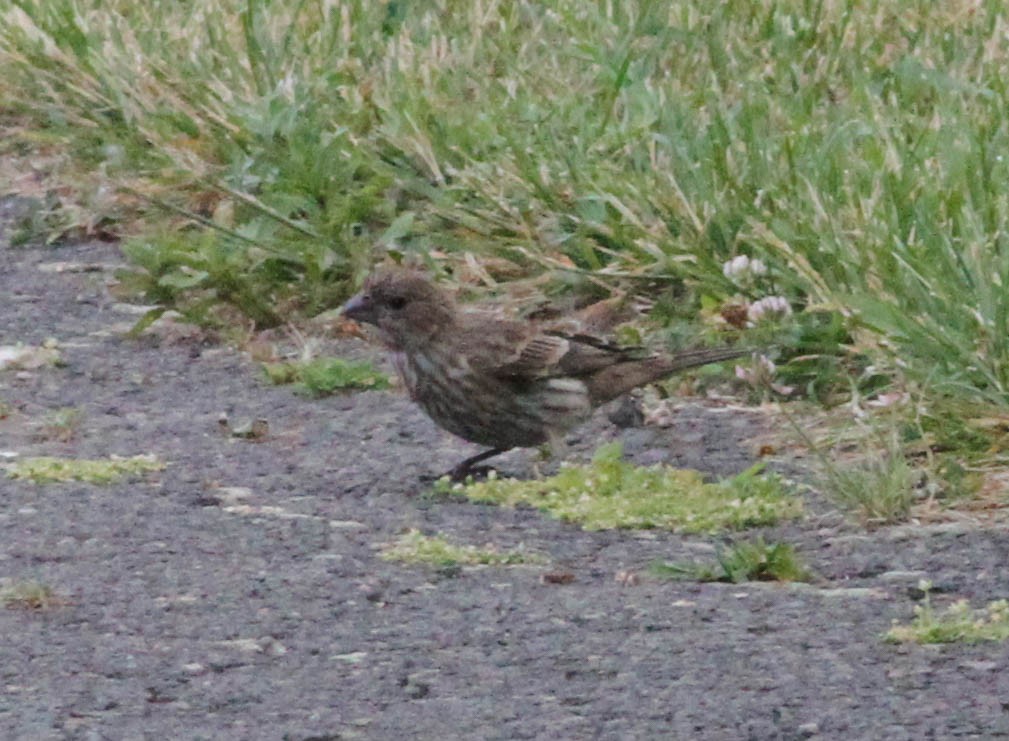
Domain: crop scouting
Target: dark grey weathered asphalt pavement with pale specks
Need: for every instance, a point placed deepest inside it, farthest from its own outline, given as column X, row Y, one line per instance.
column 240, row 594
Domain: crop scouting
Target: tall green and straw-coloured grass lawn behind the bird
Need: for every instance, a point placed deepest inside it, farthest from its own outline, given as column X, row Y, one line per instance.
column 273, row 151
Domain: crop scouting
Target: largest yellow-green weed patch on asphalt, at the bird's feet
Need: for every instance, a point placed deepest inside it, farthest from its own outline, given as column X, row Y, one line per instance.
column 611, row 493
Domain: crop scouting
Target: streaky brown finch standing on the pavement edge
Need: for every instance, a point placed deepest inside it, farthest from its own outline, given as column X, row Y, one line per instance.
column 500, row 382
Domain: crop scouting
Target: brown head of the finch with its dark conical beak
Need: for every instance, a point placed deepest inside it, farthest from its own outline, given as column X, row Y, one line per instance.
column 405, row 305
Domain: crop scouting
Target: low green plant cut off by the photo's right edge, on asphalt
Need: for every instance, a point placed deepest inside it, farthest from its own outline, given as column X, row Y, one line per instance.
column 958, row 624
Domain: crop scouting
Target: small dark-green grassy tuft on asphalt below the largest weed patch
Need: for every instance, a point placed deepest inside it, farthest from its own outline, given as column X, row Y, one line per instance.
column 747, row 562
